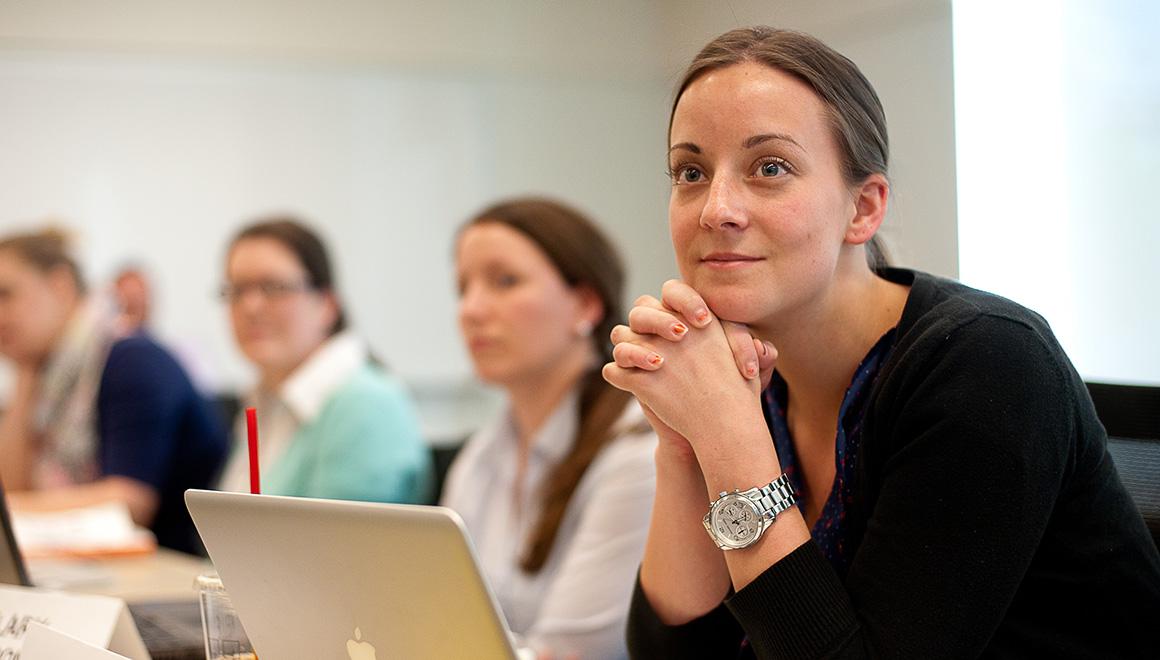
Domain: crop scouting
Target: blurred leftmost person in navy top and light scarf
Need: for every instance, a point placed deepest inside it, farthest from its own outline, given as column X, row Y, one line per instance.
column 95, row 417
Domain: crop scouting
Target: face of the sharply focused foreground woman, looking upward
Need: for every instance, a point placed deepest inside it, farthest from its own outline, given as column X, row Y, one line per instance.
column 759, row 208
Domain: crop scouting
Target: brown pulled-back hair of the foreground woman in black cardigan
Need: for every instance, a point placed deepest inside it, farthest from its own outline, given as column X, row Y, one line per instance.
column 855, row 113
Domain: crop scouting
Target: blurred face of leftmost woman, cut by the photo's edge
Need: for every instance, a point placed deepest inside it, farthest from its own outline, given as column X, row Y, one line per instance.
column 34, row 308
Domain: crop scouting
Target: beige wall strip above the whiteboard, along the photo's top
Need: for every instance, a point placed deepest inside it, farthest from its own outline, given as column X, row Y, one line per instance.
column 596, row 39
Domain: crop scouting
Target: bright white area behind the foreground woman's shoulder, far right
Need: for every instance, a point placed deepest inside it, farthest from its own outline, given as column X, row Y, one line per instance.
column 1060, row 149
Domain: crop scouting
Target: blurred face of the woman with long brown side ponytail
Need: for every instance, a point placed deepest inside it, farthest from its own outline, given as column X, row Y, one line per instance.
column 518, row 315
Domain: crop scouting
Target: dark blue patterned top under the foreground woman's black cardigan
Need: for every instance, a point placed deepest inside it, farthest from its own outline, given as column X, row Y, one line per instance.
column 829, row 532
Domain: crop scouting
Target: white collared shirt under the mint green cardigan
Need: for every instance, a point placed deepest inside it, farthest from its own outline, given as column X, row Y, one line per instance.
column 299, row 402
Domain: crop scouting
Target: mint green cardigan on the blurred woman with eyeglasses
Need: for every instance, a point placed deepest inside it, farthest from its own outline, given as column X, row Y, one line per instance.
column 365, row 445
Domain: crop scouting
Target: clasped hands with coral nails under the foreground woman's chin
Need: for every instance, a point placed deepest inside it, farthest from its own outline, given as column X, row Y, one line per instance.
column 688, row 369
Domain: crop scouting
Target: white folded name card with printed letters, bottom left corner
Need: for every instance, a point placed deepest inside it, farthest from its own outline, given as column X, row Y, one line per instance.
column 98, row 621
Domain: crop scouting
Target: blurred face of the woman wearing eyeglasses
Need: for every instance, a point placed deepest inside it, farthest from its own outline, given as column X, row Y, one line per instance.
column 278, row 318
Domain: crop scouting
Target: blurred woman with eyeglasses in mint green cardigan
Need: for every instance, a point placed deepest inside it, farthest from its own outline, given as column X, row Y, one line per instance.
column 332, row 422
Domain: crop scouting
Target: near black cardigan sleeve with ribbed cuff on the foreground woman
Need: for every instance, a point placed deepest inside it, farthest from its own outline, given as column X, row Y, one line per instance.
column 975, row 439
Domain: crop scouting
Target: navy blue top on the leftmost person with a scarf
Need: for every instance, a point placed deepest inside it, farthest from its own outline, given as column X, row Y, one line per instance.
column 155, row 427
